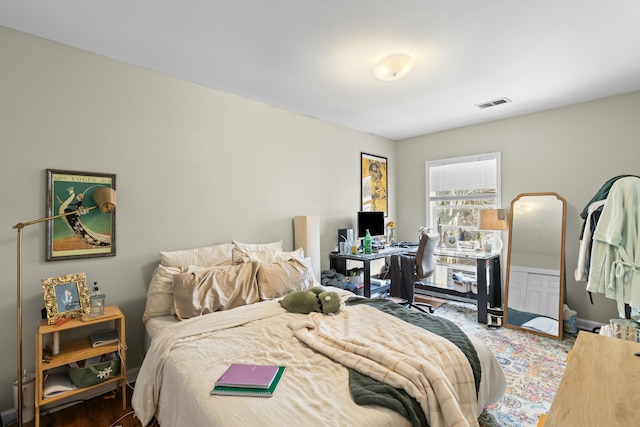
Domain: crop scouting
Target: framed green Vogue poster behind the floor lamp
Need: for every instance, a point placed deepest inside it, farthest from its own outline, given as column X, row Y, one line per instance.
column 88, row 234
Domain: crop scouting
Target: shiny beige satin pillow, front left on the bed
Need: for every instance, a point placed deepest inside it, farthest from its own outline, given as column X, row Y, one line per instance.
column 200, row 290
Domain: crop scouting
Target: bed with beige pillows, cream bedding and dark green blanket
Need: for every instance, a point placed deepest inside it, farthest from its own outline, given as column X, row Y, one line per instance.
column 374, row 363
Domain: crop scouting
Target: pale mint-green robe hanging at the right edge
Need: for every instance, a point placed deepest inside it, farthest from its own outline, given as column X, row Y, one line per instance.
column 615, row 255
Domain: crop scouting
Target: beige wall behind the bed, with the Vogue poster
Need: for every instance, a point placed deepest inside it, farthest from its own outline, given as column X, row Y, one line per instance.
column 194, row 167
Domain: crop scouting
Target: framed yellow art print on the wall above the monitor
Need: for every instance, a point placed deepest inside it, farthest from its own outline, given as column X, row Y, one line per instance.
column 373, row 179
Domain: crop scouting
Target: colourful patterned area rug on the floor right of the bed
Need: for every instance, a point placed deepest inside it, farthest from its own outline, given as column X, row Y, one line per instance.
column 533, row 366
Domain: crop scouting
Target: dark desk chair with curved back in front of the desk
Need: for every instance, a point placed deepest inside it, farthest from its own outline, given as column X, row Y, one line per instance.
column 406, row 270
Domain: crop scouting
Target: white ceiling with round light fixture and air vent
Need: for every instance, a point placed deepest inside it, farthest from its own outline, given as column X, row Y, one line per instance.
column 316, row 57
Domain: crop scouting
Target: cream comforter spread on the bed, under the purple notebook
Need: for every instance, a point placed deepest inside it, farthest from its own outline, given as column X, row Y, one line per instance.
column 185, row 359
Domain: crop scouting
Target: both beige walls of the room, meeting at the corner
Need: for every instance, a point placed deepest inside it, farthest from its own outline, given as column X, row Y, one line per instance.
column 197, row 166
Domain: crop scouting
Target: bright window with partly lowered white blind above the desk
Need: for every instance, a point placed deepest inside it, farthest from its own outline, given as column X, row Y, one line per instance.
column 457, row 189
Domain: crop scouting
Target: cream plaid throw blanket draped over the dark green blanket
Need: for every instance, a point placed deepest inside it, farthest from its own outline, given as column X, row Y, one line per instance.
column 430, row 368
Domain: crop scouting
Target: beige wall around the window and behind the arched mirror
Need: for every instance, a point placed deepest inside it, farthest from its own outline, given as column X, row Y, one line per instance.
column 571, row 151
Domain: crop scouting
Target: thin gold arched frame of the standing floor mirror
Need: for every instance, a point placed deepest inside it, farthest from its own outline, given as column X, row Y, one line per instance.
column 562, row 266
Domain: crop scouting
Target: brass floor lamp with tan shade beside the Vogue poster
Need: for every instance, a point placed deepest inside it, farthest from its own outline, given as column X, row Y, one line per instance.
column 105, row 199
